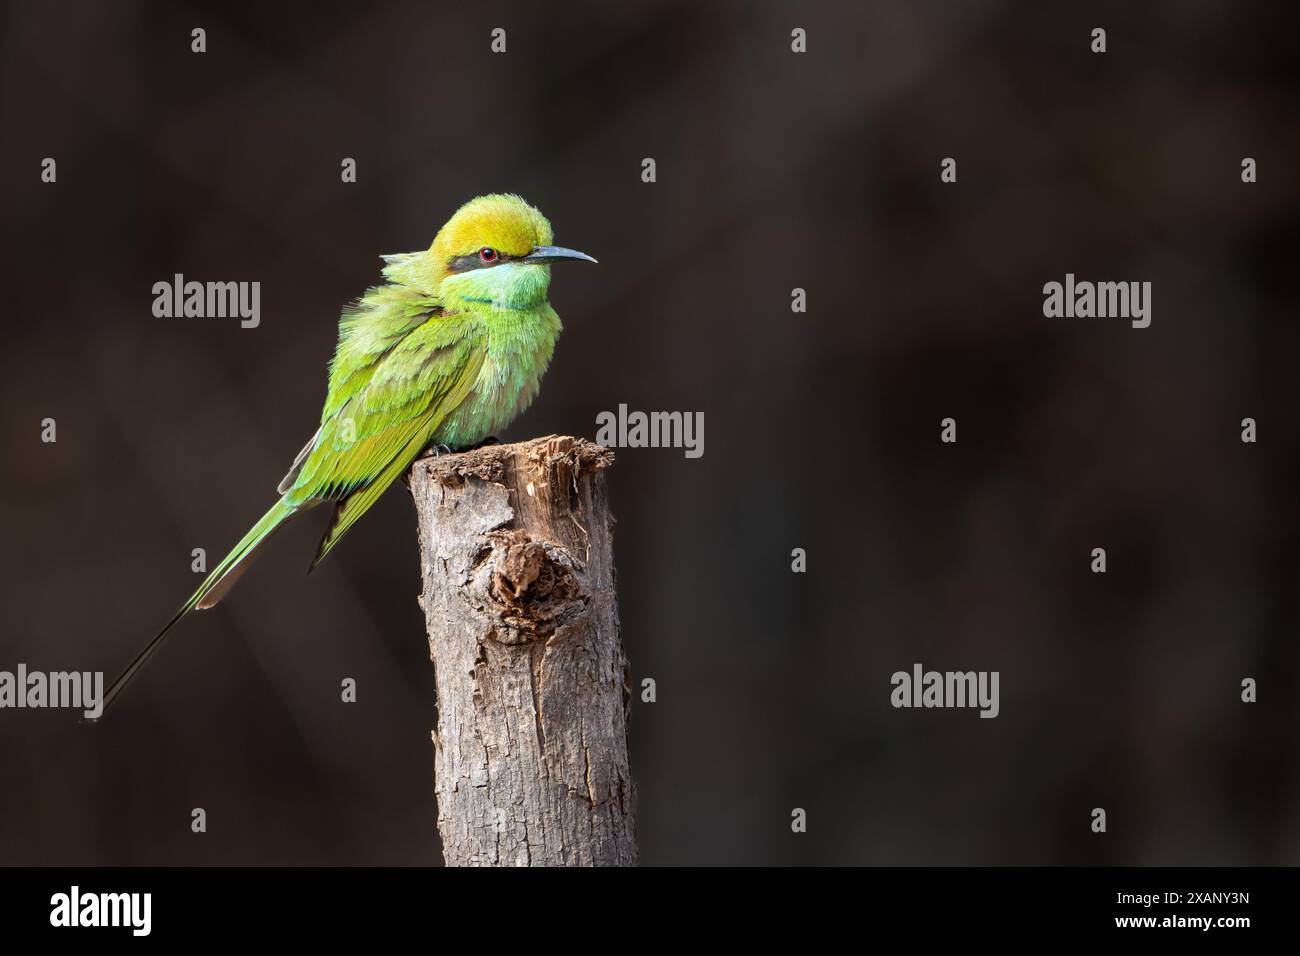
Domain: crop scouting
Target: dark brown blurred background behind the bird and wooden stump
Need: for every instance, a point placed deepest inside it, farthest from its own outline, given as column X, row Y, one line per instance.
column 775, row 171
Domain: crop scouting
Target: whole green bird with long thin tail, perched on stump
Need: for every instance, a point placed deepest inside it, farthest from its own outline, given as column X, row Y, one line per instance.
column 439, row 358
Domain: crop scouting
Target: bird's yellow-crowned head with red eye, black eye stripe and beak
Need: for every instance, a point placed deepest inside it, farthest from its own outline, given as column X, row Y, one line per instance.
column 495, row 252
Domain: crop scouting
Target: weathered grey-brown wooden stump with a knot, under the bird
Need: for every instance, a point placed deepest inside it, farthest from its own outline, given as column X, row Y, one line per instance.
column 531, row 750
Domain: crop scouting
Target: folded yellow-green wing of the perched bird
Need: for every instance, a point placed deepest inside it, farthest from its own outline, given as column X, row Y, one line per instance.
column 383, row 409
